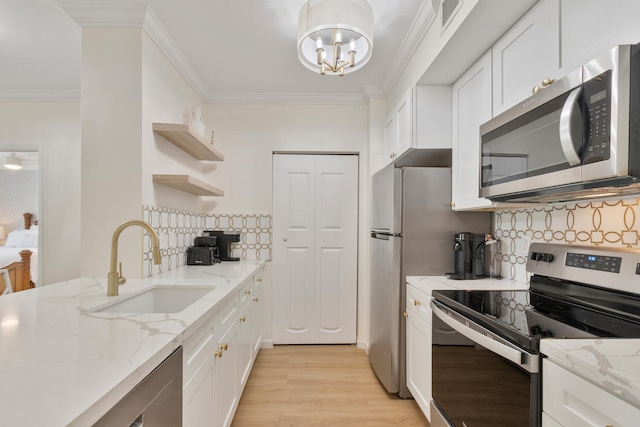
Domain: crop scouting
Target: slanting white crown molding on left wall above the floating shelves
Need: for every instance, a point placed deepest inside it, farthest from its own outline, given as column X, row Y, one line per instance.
column 161, row 37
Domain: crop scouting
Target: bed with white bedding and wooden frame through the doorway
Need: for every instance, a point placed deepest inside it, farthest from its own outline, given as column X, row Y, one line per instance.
column 19, row 257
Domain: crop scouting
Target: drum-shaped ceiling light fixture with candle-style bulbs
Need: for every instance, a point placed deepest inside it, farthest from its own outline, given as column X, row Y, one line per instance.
column 328, row 28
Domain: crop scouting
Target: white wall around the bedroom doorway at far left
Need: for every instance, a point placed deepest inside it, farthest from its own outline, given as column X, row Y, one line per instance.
column 53, row 128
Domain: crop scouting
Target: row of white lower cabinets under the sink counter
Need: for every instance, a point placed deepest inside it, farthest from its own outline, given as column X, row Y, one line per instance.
column 219, row 356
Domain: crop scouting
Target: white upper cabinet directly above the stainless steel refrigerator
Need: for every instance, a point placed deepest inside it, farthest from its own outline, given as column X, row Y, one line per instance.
column 421, row 119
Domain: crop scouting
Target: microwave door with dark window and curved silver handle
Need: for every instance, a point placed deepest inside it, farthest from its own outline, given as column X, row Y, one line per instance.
column 536, row 144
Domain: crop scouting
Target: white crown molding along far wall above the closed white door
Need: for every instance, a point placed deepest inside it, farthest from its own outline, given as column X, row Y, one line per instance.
column 285, row 98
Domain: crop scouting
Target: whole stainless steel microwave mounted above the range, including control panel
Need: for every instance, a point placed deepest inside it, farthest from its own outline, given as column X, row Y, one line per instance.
column 578, row 138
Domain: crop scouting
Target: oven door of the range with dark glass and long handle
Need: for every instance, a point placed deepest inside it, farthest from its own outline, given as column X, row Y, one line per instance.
column 490, row 383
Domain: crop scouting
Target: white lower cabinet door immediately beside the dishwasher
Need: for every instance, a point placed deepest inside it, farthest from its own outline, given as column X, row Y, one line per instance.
column 198, row 396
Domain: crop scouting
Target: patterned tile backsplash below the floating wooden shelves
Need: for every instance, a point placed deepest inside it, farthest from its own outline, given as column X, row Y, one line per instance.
column 176, row 230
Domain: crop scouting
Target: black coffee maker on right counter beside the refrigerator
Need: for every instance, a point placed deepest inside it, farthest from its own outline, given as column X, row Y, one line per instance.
column 470, row 257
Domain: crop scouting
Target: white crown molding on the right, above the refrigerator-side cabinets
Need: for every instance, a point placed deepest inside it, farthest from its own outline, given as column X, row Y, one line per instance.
column 425, row 18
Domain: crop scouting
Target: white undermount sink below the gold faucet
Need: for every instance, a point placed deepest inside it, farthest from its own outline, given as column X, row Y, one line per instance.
column 158, row 299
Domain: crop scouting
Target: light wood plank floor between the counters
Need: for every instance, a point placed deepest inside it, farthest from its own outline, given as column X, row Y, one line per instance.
column 320, row 385
